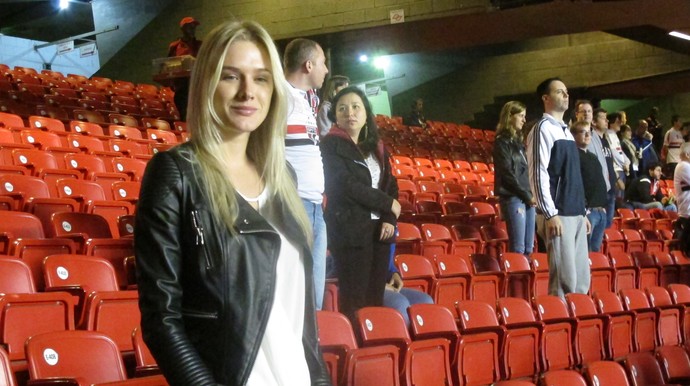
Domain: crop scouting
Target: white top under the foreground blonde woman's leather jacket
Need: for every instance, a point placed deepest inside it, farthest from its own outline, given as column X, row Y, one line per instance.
column 281, row 360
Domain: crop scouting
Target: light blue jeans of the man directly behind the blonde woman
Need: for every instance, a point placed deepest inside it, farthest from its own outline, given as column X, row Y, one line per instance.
column 318, row 250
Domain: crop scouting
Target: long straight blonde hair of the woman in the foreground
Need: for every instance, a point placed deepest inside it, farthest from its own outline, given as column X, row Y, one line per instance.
column 266, row 145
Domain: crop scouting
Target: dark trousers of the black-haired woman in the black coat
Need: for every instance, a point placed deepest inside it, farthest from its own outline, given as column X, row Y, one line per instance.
column 362, row 273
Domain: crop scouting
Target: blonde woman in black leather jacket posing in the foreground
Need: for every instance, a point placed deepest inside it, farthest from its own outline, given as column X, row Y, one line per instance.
column 222, row 242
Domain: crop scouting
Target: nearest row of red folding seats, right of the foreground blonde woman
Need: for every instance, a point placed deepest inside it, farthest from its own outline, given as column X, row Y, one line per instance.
column 510, row 340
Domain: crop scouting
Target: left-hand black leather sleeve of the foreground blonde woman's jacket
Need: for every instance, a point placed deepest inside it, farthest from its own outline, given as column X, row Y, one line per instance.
column 159, row 216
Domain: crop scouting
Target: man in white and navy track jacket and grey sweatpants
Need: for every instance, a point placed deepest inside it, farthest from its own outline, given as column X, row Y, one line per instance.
column 556, row 182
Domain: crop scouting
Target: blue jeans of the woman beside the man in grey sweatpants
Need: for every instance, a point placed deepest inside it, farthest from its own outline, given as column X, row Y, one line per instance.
column 519, row 219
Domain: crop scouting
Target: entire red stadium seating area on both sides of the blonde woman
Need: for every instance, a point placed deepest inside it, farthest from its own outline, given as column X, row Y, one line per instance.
column 72, row 154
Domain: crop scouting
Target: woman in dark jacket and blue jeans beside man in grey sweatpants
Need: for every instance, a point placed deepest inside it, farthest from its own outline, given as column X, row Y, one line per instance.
column 511, row 181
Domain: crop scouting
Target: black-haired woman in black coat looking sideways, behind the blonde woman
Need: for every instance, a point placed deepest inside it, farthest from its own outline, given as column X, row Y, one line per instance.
column 362, row 207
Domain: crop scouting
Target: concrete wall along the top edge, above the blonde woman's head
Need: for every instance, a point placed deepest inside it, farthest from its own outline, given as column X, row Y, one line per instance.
column 282, row 19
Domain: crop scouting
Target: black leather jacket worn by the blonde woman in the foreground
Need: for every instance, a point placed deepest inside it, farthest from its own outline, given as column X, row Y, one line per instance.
column 205, row 295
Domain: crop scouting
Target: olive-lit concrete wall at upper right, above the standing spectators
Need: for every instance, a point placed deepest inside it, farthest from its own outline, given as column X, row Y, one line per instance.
column 581, row 60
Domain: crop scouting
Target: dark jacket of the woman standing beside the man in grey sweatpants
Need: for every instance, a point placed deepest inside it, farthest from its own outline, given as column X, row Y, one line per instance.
column 511, row 176
